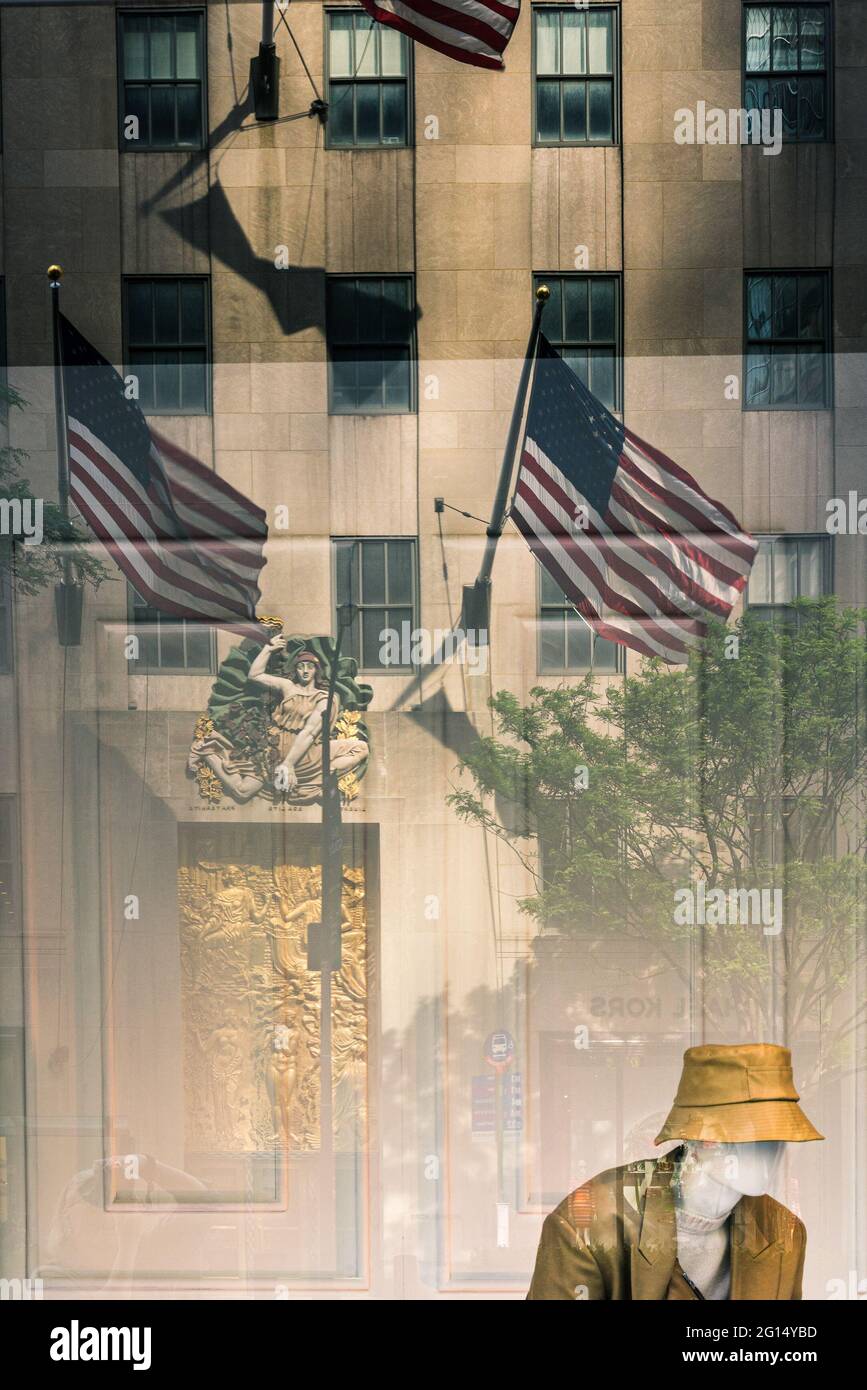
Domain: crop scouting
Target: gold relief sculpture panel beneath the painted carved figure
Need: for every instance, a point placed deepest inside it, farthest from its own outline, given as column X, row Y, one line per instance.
column 252, row 1008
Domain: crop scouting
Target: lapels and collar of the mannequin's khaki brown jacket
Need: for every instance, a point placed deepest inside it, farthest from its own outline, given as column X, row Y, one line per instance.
column 755, row 1257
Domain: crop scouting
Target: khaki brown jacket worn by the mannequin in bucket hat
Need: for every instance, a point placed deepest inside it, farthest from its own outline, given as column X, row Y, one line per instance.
column 616, row 1238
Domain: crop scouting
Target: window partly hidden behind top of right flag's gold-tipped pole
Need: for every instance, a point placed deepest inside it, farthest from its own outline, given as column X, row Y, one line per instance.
column 581, row 320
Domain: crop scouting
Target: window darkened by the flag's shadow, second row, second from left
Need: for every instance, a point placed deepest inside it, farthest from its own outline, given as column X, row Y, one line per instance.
column 372, row 344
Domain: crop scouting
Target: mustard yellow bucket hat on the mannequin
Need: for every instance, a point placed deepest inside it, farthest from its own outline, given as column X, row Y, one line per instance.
column 737, row 1096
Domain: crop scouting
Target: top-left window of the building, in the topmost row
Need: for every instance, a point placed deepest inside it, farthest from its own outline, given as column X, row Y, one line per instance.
column 162, row 74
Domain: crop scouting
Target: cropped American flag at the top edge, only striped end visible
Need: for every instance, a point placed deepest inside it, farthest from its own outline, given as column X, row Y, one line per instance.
column 472, row 31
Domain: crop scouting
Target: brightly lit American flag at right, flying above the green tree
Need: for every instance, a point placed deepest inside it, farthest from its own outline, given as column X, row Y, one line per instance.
column 630, row 537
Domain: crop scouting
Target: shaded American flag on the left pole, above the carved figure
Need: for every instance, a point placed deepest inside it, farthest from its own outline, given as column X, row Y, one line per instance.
column 188, row 543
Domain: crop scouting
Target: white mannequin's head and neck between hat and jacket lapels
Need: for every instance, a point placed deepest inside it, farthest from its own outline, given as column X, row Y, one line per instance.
column 709, row 1182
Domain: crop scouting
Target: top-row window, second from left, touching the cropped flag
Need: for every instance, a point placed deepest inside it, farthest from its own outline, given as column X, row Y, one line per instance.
column 369, row 85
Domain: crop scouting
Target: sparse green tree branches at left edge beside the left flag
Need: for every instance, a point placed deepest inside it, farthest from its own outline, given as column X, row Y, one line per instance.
column 31, row 568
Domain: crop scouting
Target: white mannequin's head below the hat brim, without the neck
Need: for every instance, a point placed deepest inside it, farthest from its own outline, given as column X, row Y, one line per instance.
column 715, row 1177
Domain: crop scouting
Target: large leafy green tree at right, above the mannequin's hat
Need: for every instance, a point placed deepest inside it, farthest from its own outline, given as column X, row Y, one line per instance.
column 744, row 769
